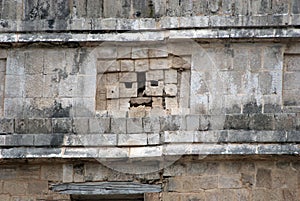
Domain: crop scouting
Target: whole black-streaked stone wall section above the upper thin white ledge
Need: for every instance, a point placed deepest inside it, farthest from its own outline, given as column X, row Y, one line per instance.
column 41, row 15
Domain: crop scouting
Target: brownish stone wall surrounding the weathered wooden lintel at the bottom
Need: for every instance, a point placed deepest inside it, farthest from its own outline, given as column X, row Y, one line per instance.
column 190, row 178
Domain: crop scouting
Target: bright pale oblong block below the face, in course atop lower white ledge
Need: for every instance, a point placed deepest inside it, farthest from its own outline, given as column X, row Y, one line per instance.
column 132, row 139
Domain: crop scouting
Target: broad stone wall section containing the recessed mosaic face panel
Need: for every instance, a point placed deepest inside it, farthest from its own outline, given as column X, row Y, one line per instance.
column 135, row 80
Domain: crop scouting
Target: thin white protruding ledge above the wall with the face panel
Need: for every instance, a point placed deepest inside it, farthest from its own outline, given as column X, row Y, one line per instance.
column 151, row 36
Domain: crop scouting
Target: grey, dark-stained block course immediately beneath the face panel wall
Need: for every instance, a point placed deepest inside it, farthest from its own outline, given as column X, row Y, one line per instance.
column 278, row 121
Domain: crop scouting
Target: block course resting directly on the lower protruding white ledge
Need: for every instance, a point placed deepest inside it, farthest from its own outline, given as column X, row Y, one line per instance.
column 182, row 138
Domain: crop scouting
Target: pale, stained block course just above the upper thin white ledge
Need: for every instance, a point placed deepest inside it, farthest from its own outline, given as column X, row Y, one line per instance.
column 124, row 24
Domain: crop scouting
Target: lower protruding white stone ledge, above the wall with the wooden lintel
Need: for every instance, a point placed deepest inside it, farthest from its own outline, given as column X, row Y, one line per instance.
column 156, row 153
